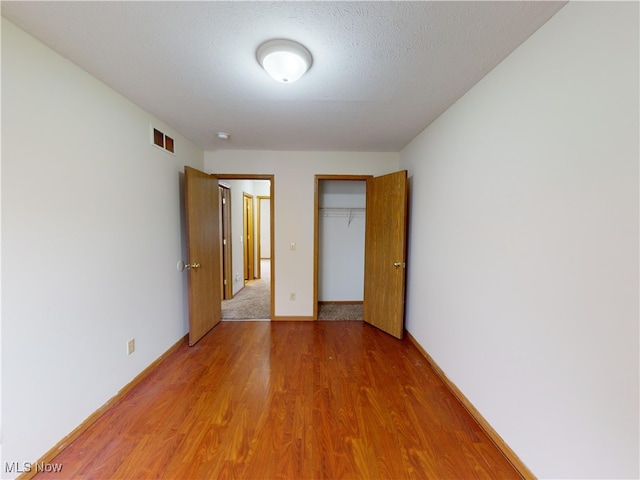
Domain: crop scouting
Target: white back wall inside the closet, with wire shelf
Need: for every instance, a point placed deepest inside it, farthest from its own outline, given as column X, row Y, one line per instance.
column 341, row 240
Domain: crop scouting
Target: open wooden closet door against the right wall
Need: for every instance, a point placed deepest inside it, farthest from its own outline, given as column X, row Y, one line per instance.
column 385, row 252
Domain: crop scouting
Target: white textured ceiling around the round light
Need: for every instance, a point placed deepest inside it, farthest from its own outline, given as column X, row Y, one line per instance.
column 382, row 71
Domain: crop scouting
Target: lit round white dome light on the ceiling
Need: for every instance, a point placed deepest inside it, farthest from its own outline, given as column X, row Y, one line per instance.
column 285, row 60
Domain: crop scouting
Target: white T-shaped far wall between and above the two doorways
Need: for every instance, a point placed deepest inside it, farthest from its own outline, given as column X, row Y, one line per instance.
column 293, row 208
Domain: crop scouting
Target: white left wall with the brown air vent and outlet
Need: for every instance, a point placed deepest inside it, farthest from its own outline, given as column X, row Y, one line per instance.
column 91, row 234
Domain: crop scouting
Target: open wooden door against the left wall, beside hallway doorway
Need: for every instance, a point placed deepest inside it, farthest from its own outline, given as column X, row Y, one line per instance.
column 203, row 250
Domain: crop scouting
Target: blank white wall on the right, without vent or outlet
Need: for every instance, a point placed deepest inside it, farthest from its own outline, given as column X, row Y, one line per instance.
column 523, row 260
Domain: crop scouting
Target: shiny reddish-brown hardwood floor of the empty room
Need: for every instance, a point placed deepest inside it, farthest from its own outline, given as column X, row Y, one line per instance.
column 266, row 400
